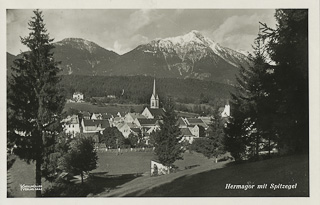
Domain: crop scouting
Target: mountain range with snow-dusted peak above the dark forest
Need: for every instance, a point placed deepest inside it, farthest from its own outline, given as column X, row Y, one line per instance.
column 188, row 56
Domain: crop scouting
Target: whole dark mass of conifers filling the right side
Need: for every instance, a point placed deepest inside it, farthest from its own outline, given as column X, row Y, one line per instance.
column 270, row 105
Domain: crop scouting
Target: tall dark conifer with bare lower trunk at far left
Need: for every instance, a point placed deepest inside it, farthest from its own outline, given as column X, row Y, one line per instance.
column 34, row 102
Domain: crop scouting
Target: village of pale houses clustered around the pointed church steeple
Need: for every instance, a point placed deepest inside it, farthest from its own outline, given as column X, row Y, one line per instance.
column 133, row 123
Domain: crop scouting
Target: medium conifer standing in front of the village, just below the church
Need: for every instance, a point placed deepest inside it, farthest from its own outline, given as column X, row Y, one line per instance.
column 166, row 140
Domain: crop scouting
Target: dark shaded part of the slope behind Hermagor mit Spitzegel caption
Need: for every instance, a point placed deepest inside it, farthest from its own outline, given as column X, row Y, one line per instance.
column 285, row 170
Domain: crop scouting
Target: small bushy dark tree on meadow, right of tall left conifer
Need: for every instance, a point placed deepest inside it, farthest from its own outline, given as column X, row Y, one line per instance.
column 82, row 156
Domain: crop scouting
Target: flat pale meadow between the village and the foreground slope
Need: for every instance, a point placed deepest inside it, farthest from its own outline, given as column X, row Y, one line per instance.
column 113, row 170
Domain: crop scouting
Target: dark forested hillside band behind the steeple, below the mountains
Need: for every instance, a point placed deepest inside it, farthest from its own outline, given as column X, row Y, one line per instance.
column 138, row 89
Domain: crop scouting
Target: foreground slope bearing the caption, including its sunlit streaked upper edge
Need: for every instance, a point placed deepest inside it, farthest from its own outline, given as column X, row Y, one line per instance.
column 210, row 181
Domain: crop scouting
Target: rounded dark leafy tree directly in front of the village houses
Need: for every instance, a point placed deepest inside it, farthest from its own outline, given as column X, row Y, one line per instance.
column 112, row 137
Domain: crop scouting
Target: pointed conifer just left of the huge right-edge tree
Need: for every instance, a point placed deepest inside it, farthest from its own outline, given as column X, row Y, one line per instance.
column 247, row 129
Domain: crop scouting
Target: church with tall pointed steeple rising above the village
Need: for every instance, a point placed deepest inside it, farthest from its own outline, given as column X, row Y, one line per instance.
column 153, row 112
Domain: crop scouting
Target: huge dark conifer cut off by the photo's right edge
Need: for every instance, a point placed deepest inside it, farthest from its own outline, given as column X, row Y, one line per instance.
column 287, row 46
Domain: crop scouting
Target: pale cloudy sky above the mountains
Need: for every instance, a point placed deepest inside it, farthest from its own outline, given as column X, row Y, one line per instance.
column 121, row 30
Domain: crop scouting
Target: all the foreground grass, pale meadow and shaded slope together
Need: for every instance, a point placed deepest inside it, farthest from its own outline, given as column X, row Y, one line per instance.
column 128, row 174
